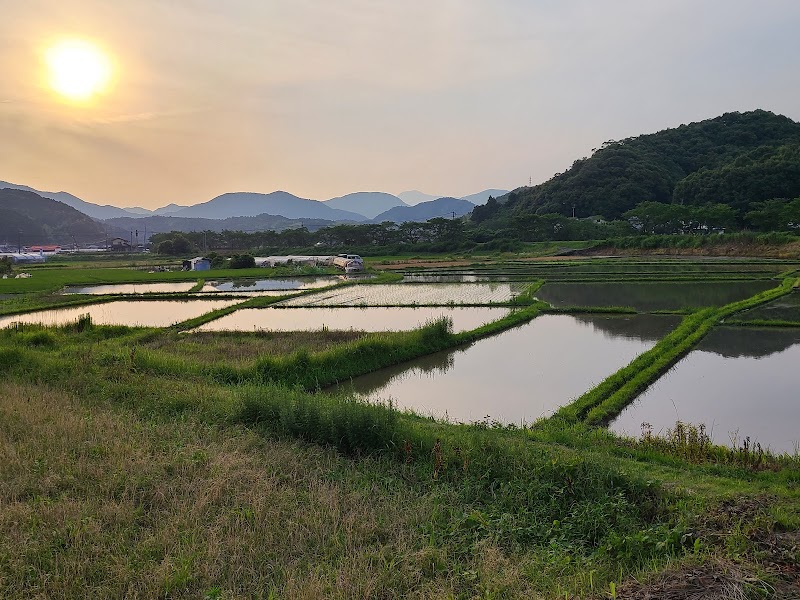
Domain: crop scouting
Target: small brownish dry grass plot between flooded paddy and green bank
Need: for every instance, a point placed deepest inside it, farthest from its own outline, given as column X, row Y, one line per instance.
column 243, row 348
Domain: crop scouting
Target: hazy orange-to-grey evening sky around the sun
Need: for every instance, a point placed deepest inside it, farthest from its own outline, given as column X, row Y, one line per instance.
column 324, row 98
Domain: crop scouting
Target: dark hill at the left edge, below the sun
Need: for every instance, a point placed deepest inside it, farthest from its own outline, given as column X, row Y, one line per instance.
column 28, row 217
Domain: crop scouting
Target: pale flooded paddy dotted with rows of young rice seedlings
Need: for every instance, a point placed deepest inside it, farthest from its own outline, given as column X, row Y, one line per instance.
column 412, row 294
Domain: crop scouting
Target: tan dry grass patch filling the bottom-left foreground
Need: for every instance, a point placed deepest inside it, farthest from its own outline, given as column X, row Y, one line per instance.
column 97, row 503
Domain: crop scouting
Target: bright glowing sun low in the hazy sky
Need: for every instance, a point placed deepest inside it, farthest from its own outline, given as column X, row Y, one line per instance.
column 77, row 70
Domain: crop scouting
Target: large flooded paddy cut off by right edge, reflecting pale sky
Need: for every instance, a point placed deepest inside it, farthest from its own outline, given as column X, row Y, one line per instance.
column 731, row 386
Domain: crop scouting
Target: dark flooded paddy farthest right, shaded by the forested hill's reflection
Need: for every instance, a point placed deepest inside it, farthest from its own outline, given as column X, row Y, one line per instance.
column 651, row 296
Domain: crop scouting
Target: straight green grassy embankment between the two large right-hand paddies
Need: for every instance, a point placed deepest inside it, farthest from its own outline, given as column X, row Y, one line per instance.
column 601, row 404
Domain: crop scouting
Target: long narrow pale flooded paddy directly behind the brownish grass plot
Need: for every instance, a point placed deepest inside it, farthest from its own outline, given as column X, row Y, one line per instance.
column 344, row 319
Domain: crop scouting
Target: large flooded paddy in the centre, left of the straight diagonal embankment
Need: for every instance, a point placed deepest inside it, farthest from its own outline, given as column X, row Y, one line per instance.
column 520, row 375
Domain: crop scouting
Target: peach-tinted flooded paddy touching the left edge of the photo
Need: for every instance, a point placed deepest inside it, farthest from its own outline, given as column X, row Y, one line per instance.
column 144, row 313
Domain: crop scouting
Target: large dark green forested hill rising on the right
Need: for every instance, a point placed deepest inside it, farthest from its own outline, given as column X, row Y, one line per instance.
column 697, row 163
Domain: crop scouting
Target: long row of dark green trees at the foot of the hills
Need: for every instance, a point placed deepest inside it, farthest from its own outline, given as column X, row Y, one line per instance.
column 486, row 231
